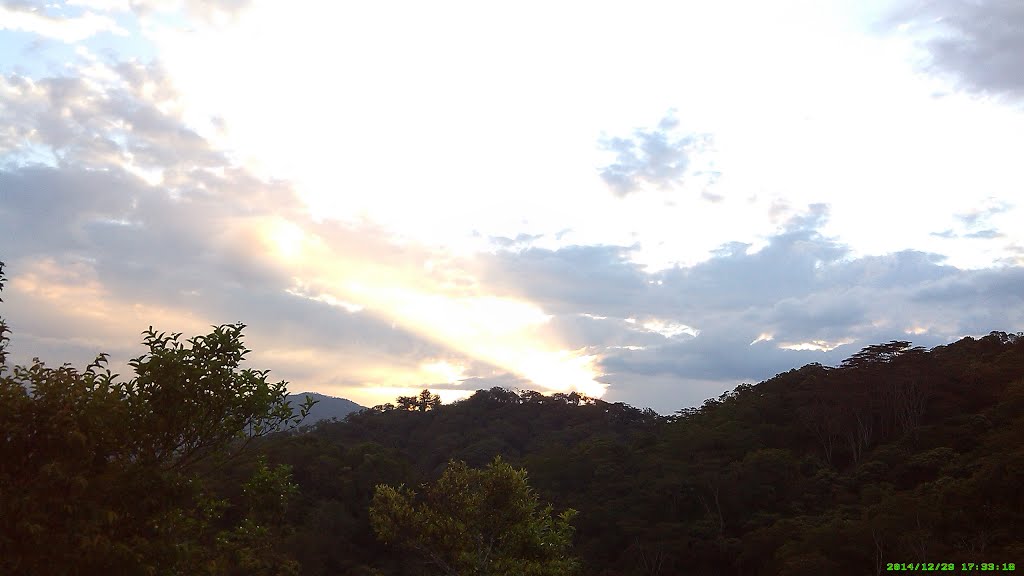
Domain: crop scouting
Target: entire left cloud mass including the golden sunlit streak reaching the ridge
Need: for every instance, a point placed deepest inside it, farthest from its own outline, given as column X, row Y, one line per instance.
column 152, row 216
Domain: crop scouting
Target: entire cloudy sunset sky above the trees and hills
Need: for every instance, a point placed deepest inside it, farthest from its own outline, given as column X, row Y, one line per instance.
column 647, row 202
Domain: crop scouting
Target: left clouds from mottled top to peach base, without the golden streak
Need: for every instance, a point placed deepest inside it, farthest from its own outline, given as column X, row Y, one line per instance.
column 97, row 253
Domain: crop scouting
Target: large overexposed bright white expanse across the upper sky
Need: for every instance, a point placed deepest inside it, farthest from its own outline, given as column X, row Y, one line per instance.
column 447, row 113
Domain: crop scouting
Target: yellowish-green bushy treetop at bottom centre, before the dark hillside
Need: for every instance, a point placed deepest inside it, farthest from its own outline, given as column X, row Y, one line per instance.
column 475, row 522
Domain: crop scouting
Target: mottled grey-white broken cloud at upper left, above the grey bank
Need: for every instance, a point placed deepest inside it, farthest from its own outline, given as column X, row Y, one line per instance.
column 117, row 118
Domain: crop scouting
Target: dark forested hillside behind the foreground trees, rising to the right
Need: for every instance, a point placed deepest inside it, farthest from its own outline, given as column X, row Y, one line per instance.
column 899, row 456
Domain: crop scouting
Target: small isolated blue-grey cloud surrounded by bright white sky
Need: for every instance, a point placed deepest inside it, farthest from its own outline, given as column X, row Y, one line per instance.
column 655, row 157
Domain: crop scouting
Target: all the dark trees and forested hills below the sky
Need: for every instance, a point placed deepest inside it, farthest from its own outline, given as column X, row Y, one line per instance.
column 901, row 455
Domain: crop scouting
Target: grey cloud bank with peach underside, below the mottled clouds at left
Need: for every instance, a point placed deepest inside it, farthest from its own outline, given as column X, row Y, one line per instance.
column 180, row 265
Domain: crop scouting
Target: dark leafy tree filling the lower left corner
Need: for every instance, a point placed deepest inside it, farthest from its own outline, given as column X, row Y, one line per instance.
column 100, row 476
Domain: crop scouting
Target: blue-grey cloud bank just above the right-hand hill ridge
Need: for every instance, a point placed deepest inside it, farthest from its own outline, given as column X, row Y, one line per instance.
column 802, row 289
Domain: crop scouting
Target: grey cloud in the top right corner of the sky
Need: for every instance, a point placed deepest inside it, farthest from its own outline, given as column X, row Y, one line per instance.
column 980, row 43
